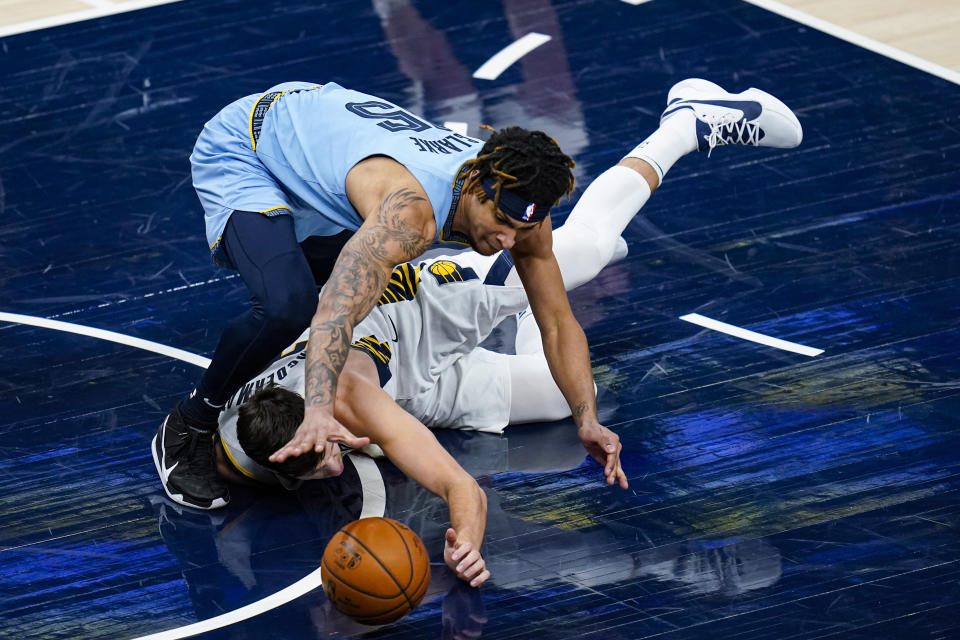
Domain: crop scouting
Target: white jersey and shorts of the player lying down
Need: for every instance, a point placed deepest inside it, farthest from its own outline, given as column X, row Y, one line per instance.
column 423, row 335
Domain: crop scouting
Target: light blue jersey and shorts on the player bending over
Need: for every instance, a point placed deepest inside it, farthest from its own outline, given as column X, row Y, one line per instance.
column 289, row 151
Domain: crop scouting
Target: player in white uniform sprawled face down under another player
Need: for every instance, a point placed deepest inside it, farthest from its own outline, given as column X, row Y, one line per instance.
column 416, row 360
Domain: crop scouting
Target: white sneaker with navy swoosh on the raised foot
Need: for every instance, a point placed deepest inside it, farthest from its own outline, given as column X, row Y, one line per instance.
column 752, row 117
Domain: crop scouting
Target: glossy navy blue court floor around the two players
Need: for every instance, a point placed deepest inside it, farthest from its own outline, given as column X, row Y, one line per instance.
column 773, row 495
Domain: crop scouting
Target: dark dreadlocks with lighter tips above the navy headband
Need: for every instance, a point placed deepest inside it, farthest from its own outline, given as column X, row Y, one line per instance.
column 527, row 162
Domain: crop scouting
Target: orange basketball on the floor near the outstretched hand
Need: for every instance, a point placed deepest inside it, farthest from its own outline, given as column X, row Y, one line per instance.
column 375, row 570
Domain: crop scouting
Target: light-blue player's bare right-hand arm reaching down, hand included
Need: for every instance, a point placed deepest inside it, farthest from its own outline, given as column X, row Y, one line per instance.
column 565, row 347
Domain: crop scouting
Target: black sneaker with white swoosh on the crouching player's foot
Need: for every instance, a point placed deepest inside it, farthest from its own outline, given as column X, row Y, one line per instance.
column 185, row 462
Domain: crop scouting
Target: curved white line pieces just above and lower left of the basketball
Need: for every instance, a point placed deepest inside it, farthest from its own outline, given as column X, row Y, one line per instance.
column 374, row 503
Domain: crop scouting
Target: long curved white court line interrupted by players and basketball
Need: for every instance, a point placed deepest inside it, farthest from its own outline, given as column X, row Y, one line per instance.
column 371, row 483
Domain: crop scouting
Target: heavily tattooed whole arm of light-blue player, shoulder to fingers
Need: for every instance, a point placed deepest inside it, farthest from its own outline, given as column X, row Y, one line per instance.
column 398, row 226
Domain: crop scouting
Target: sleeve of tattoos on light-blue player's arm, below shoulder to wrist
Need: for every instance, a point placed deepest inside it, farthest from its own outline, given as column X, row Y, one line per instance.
column 359, row 277
